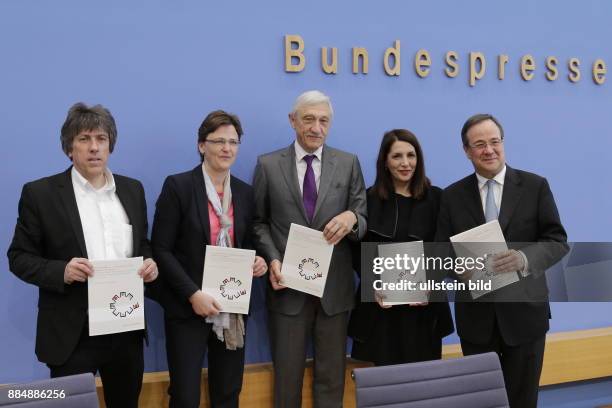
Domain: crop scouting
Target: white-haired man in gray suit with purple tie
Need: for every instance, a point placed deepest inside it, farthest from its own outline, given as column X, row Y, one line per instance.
column 311, row 184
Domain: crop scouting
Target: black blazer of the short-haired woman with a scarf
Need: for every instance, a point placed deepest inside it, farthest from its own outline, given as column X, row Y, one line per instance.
column 181, row 231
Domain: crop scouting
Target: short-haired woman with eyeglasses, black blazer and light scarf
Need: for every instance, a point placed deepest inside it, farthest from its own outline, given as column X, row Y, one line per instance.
column 204, row 206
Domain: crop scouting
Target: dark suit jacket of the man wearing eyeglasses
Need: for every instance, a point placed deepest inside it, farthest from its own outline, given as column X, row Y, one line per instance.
column 528, row 214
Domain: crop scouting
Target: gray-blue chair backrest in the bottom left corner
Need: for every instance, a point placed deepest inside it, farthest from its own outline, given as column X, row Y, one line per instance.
column 74, row 391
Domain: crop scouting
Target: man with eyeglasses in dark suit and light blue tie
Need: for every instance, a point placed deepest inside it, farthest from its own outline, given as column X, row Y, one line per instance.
column 525, row 208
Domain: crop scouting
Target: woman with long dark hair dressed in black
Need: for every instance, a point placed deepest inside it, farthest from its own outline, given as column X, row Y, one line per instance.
column 402, row 206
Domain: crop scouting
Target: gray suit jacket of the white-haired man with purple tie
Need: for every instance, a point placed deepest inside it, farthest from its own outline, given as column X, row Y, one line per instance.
column 279, row 203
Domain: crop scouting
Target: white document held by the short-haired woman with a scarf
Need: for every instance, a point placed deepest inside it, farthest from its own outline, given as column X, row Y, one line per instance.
column 228, row 276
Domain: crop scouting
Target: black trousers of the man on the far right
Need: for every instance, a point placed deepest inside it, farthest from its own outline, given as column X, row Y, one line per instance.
column 521, row 365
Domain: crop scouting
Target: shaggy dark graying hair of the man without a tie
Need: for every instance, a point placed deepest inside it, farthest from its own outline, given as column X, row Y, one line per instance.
column 82, row 117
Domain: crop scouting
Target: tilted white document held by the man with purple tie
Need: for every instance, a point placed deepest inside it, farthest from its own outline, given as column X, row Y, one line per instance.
column 306, row 261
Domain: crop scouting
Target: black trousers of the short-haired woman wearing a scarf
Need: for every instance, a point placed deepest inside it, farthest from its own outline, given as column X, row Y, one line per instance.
column 187, row 341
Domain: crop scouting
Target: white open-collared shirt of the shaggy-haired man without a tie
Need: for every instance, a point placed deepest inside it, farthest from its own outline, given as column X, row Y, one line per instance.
column 106, row 227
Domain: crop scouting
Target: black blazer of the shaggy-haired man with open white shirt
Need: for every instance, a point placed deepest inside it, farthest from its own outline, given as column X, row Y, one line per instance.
column 47, row 236
